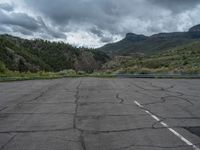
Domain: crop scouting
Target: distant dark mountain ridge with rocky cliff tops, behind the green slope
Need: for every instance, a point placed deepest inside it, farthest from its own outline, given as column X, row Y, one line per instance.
column 134, row 43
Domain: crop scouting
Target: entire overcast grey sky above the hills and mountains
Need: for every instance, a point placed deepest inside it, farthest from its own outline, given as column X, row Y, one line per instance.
column 93, row 23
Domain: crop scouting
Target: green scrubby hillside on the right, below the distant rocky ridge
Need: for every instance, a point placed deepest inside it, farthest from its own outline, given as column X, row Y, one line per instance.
column 183, row 59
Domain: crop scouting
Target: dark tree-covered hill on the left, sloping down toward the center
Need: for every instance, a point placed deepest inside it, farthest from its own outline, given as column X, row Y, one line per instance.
column 35, row 55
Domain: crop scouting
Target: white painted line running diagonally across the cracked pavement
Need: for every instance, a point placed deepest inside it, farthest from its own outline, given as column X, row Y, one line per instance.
column 166, row 126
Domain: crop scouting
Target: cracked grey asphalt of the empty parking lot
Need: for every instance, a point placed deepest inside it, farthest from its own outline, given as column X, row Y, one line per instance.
column 98, row 114
